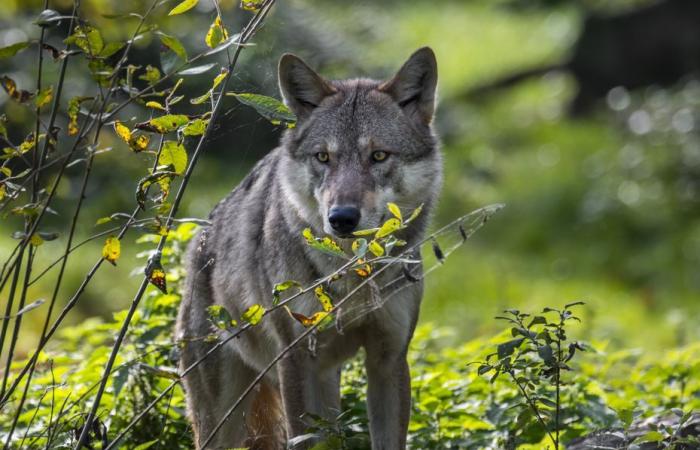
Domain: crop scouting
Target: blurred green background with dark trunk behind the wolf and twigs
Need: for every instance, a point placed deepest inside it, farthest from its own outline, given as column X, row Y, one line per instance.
column 581, row 116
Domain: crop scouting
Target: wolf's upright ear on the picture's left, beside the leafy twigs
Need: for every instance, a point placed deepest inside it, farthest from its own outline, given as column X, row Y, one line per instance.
column 301, row 87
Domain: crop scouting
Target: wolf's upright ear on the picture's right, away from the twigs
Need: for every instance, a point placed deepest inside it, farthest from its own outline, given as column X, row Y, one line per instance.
column 413, row 87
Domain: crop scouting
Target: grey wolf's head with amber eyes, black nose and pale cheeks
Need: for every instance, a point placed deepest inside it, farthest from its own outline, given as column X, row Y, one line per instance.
column 360, row 143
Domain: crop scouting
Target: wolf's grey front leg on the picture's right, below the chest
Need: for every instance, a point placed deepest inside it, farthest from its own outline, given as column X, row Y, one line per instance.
column 388, row 399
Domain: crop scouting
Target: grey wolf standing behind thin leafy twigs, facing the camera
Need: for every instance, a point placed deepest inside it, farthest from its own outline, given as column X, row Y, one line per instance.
column 357, row 145
